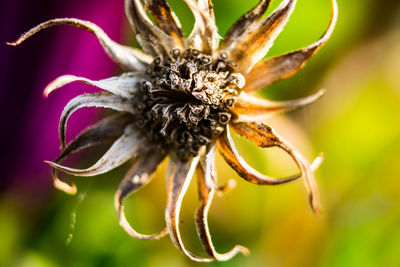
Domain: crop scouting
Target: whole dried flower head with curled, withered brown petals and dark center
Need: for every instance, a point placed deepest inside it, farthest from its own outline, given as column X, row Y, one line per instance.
column 179, row 98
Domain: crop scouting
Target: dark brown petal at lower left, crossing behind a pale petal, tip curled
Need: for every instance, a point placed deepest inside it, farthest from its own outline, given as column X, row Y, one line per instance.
column 103, row 132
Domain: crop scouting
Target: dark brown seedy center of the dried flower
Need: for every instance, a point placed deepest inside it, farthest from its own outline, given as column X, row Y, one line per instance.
column 186, row 104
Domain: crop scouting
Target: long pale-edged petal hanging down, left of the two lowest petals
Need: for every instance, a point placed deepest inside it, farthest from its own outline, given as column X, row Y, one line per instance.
column 179, row 175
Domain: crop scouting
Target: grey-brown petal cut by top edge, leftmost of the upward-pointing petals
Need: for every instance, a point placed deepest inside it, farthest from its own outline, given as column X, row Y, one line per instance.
column 151, row 38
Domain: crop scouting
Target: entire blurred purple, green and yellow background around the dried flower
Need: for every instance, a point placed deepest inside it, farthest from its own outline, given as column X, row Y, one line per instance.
column 356, row 125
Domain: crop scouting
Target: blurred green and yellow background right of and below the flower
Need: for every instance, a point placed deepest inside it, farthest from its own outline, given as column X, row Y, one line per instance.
column 356, row 125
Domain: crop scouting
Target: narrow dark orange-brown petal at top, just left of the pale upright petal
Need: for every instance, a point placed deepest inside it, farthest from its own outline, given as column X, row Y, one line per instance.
column 166, row 19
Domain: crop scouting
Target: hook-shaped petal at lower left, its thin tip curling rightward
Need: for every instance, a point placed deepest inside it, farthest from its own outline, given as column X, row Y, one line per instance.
column 138, row 176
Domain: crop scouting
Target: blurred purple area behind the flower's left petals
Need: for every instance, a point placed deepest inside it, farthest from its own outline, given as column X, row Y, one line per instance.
column 29, row 122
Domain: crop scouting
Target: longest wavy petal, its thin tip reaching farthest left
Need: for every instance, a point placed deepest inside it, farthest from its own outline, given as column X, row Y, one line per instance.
column 128, row 58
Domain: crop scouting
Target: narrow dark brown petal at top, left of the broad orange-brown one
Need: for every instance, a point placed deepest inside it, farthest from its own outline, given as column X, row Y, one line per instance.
column 243, row 23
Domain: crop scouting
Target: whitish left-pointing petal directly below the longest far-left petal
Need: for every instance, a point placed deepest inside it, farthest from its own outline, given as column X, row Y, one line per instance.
column 124, row 85
